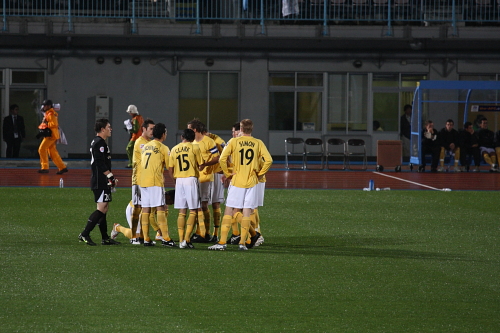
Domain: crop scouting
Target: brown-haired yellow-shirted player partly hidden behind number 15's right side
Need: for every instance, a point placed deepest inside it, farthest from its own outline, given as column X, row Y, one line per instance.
column 210, row 156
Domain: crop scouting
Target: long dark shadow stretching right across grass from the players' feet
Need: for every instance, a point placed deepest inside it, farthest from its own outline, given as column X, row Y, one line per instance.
column 353, row 246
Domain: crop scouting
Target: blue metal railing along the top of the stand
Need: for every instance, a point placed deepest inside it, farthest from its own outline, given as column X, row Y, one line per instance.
column 325, row 12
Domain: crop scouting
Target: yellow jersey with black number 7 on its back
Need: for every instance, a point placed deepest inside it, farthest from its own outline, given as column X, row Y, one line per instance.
column 154, row 160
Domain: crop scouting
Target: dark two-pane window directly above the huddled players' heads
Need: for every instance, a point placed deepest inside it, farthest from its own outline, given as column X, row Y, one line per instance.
column 211, row 97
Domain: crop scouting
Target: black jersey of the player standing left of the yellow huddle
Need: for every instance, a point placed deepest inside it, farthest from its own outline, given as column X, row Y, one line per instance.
column 100, row 162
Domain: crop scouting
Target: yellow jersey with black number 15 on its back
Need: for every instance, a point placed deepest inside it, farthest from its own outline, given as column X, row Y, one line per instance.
column 185, row 159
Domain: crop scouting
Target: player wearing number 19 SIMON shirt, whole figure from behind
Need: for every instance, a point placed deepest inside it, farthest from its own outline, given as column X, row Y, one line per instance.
column 246, row 153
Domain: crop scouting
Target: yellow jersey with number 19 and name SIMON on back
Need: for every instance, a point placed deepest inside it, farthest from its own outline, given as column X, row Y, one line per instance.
column 246, row 154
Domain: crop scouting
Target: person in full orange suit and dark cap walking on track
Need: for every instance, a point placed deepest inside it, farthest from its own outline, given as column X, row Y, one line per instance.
column 48, row 145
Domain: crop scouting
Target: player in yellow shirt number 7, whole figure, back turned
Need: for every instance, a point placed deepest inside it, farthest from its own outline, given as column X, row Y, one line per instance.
column 154, row 160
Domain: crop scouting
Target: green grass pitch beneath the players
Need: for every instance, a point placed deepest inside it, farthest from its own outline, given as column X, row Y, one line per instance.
column 332, row 261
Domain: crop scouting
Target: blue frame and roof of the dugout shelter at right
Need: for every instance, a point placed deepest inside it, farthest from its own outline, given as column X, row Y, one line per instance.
column 477, row 96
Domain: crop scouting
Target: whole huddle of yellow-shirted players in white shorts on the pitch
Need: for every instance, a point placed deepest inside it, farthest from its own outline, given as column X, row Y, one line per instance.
column 199, row 165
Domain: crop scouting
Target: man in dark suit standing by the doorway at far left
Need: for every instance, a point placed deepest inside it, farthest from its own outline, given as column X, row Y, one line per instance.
column 13, row 131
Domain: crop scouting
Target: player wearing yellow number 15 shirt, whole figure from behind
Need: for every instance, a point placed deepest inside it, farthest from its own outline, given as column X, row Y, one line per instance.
column 183, row 167
